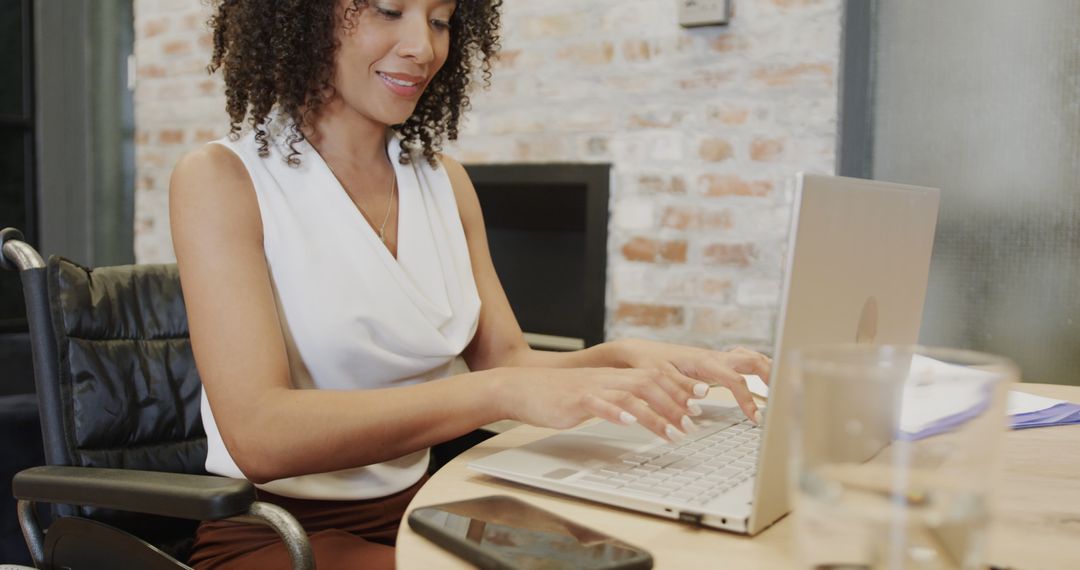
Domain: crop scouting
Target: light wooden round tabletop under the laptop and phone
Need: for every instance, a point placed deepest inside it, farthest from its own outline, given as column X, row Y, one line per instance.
column 1037, row 526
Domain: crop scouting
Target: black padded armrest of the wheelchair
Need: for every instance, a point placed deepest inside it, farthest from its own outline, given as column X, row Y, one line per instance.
column 175, row 495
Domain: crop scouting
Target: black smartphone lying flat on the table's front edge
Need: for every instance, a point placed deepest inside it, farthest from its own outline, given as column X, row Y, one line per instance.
column 503, row 533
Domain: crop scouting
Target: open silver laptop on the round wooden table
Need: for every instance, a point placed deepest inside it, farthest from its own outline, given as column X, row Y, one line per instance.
column 859, row 260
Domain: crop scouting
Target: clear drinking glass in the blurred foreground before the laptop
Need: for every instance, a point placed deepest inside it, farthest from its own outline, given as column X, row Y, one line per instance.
column 896, row 455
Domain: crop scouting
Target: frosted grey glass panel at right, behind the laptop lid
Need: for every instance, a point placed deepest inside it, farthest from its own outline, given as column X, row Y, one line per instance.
column 982, row 99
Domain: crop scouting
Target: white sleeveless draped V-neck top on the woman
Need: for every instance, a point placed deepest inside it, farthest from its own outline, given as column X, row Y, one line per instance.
column 353, row 316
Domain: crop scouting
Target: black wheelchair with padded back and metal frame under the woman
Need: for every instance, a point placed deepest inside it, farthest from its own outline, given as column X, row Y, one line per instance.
column 118, row 395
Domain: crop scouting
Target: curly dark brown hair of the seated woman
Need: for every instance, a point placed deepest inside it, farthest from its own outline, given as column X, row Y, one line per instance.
column 281, row 53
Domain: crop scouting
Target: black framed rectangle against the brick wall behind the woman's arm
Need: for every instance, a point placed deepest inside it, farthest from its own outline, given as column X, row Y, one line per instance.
column 547, row 229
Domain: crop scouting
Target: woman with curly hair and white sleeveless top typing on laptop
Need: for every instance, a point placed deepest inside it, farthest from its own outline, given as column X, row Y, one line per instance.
column 334, row 263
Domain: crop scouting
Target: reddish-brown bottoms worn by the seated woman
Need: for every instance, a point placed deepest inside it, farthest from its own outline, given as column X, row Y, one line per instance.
column 343, row 534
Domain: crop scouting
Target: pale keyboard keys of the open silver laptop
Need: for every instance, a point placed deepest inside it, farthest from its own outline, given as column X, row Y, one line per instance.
column 696, row 471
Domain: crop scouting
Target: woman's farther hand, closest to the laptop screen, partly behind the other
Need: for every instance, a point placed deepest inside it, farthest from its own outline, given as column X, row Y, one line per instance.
column 710, row 367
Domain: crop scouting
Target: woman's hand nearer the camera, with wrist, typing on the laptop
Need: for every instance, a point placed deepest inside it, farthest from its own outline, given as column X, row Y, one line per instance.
column 563, row 398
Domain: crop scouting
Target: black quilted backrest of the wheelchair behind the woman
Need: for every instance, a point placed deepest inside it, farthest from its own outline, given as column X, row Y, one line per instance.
column 116, row 379
